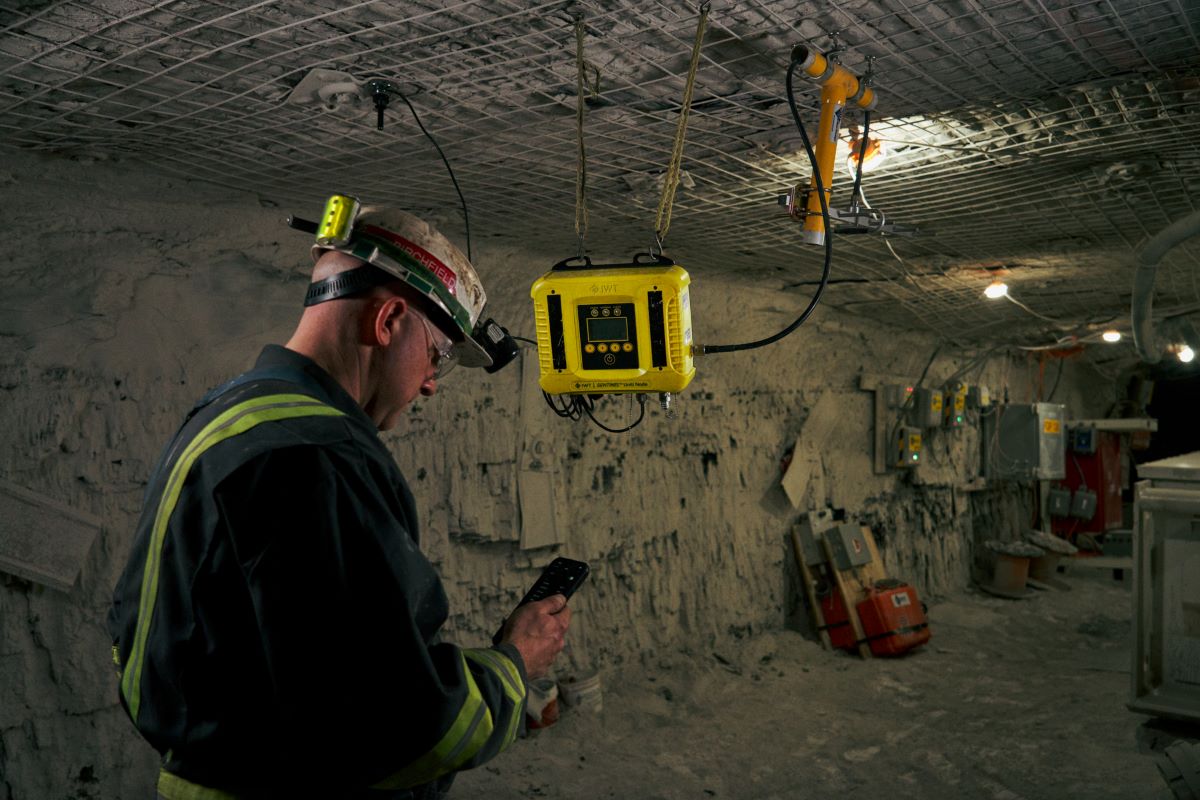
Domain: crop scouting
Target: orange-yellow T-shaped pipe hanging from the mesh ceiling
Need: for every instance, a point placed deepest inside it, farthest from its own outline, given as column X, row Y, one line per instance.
column 838, row 86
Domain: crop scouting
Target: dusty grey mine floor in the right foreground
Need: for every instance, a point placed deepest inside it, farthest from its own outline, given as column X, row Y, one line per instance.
column 1010, row 701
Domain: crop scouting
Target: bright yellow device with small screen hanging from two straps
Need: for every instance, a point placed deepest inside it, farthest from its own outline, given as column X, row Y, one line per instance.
column 611, row 329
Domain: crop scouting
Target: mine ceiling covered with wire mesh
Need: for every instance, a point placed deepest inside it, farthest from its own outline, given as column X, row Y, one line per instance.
column 1037, row 140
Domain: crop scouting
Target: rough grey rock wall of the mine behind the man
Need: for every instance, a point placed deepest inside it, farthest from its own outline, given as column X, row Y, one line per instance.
column 129, row 294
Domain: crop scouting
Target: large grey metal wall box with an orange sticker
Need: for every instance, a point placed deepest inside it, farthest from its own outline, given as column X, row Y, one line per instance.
column 1025, row 443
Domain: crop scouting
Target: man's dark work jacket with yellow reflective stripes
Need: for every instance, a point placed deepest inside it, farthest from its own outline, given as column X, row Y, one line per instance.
column 277, row 627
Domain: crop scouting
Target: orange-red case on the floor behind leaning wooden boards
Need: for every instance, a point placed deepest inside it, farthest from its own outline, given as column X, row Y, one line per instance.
column 892, row 616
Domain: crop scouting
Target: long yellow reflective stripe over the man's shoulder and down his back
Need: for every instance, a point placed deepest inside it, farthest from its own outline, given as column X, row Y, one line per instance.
column 239, row 419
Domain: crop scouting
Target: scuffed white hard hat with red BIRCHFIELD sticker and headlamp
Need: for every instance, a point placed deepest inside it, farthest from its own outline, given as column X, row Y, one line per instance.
column 413, row 251
